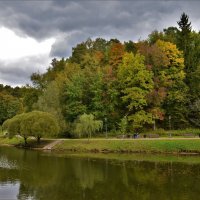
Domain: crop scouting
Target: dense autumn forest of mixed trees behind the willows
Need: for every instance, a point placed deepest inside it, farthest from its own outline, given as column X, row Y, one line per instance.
column 143, row 85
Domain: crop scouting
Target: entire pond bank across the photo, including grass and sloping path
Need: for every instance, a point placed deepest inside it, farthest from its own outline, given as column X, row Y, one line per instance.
column 167, row 146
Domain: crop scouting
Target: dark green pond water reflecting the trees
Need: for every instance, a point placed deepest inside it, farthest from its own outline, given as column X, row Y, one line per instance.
column 26, row 174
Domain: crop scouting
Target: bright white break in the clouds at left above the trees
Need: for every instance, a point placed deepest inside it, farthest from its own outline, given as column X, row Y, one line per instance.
column 21, row 56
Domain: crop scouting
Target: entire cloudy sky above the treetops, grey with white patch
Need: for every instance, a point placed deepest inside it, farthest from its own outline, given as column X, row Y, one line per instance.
column 34, row 32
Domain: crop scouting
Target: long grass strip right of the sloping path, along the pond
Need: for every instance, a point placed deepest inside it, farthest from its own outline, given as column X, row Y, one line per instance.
column 131, row 146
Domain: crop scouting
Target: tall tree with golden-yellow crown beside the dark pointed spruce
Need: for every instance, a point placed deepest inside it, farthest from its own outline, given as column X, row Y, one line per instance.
column 173, row 76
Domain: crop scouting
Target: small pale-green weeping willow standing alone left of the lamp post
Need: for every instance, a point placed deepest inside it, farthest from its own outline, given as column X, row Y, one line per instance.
column 87, row 125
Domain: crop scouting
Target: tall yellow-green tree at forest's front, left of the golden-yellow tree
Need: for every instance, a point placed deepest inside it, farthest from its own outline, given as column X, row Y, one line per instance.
column 136, row 83
